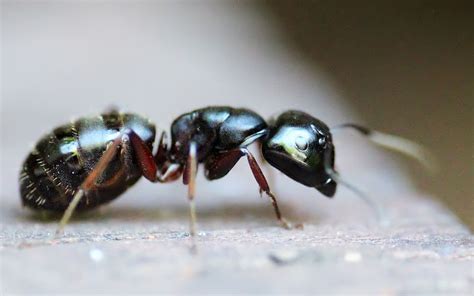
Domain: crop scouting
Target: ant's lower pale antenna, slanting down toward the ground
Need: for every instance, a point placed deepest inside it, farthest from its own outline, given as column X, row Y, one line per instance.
column 379, row 213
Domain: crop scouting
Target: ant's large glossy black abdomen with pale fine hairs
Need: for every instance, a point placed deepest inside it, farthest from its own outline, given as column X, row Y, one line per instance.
column 61, row 161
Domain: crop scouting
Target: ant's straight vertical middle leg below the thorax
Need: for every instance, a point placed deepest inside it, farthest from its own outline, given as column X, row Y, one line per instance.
column 189, row 178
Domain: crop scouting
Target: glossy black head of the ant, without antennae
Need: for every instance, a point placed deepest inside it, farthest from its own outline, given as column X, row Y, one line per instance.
column 297, row 145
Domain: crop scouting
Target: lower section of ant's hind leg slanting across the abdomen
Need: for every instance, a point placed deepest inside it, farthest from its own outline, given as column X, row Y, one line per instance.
column 89, row 182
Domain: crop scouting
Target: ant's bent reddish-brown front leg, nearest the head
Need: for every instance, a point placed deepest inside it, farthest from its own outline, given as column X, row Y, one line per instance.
column 219, row 165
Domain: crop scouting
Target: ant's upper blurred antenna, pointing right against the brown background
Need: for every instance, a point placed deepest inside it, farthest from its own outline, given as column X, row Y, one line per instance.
column 397, row 144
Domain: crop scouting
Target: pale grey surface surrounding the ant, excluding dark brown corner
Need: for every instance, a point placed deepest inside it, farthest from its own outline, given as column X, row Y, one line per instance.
column 66, row 59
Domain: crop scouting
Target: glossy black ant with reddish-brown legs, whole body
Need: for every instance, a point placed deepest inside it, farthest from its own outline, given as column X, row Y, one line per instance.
column 92, row 160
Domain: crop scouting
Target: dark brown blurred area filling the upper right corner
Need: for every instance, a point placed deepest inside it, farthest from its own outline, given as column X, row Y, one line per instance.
column 407, row 67
